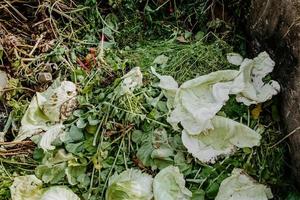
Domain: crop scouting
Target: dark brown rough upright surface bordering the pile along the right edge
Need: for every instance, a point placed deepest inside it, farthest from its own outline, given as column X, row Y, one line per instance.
column 274, row 25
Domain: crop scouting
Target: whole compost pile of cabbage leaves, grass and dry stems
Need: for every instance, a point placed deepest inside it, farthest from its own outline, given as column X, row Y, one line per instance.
column 135, row 100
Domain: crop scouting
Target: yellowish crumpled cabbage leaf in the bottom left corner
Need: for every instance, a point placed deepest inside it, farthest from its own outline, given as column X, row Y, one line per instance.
column 27, row 187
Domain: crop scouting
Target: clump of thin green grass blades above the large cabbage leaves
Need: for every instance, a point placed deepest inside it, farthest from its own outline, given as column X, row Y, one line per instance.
column 185, row 61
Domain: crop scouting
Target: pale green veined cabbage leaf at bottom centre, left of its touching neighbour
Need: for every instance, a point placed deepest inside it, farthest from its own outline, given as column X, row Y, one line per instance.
column 131, row 184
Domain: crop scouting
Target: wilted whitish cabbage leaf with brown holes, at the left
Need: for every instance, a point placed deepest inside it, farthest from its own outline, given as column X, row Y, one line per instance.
column 44, row 113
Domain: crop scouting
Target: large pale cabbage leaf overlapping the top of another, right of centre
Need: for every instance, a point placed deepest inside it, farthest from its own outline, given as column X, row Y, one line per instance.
column 198, row 100
